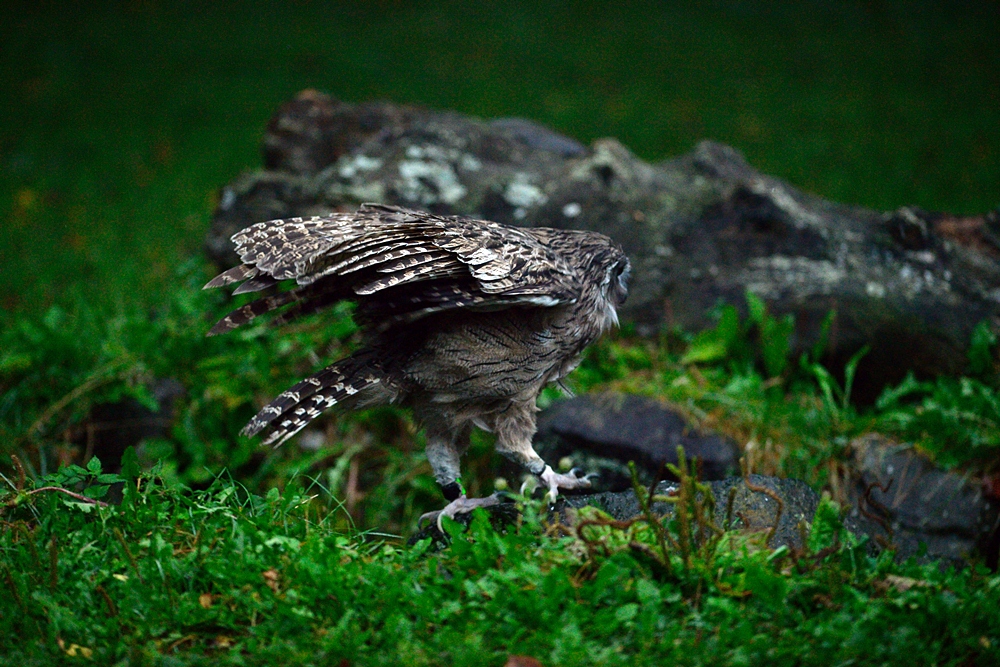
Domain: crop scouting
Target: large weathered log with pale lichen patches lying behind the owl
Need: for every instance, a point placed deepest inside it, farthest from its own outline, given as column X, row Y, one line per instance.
column 702, row 228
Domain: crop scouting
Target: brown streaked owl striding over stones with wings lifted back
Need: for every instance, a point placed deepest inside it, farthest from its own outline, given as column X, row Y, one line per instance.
column 464, row 321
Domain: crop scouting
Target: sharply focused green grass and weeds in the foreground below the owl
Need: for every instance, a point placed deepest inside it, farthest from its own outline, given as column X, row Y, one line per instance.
column 225, row 577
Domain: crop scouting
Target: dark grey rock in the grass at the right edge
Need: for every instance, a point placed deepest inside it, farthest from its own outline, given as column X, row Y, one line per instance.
column 911, row 505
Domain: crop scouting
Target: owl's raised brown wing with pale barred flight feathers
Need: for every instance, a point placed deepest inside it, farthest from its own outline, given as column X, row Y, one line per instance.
column 398, row 264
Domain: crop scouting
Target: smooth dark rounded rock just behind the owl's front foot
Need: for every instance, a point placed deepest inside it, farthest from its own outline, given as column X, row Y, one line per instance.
column 602, row 433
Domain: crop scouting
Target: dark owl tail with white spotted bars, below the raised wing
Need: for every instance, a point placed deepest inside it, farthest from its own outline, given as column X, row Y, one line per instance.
column 349, row 382
